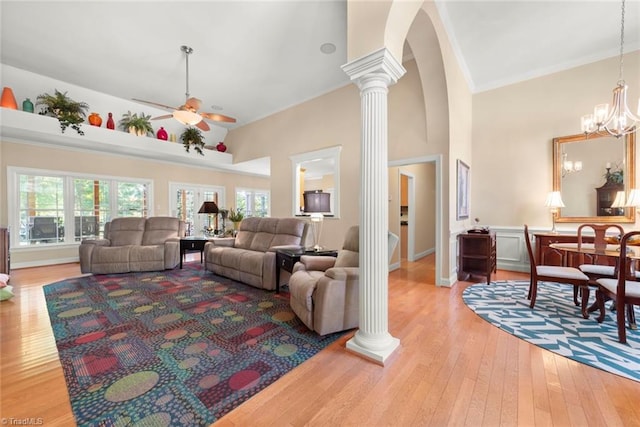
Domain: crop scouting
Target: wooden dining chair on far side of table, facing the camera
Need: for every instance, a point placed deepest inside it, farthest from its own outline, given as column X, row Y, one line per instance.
column 594, row 269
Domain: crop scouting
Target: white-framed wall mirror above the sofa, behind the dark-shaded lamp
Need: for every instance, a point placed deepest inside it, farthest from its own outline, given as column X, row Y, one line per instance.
column 317, row 171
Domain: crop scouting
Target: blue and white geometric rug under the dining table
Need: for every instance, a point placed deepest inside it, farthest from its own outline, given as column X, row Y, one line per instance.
column 557, row 325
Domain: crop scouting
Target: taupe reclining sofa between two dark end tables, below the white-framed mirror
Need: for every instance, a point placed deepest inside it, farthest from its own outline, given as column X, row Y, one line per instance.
column 251, row 257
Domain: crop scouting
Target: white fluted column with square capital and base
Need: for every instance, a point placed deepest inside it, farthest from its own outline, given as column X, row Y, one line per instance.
column 373, row 74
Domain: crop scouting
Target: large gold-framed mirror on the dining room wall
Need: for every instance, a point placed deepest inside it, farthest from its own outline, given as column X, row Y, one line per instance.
column 590, row 172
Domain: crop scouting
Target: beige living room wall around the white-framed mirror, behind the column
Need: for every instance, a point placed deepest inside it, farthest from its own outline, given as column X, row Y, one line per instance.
column 330, row 120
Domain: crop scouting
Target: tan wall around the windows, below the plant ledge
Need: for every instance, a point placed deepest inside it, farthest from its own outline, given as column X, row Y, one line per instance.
column 31, row 156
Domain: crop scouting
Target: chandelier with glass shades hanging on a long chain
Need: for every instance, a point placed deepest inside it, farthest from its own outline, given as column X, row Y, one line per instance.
column 618, row 120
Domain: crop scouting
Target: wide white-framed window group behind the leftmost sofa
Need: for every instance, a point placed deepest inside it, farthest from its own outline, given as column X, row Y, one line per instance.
column 53, row 207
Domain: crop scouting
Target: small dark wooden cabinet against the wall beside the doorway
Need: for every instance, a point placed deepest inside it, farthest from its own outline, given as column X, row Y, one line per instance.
column 477, row 255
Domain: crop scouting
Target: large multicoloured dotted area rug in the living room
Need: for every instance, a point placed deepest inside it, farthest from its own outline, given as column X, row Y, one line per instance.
column 177, row 347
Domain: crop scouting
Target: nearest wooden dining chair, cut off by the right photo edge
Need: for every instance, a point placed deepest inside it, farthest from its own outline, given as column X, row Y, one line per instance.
column 624, row 290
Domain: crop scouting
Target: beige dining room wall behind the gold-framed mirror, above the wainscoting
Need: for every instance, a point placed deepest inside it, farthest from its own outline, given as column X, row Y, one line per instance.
column 513, row 129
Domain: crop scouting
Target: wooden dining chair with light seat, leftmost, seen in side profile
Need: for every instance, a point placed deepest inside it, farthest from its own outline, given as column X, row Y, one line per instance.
column 552, row 273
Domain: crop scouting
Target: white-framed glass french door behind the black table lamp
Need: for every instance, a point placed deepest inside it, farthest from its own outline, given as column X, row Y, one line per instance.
column 185, row 201
